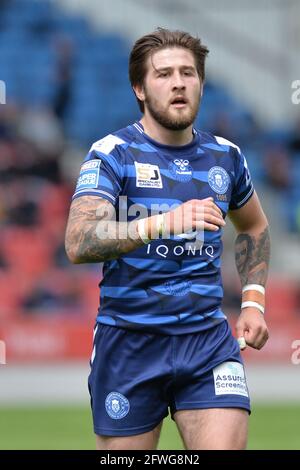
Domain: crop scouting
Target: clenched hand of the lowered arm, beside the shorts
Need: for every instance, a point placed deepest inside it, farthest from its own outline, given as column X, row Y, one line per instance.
column 252, row 326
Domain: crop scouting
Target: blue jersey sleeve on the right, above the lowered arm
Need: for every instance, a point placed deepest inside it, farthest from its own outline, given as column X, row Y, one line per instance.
column 243, row 186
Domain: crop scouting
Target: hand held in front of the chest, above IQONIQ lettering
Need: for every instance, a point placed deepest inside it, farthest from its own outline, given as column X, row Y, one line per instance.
column 196, row 214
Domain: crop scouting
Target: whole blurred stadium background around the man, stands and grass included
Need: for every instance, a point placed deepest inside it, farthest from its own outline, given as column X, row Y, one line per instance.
column 64, row 64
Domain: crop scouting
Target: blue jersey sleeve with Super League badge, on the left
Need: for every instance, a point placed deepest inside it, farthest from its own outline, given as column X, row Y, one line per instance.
column 101, row 173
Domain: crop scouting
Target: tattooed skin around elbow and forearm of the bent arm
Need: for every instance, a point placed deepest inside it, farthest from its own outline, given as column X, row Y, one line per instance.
column 89, row 220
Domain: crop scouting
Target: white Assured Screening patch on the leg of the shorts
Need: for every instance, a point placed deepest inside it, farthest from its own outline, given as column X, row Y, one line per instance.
column 229, row 379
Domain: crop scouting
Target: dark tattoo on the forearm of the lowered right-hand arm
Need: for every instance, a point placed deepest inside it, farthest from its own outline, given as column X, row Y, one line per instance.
column 252, row 255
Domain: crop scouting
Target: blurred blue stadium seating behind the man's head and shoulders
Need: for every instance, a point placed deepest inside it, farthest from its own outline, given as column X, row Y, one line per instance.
column 101, row 97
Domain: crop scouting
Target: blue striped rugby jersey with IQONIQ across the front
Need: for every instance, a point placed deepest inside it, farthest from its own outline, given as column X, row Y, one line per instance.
column 169, row 286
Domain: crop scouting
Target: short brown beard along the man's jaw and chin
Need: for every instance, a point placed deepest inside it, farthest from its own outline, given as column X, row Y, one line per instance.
column 166, row 119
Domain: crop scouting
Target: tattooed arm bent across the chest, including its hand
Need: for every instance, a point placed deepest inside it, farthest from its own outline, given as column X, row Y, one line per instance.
column 93, row 235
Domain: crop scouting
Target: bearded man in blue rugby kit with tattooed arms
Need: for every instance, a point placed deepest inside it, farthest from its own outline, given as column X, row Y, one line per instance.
column 150, row 204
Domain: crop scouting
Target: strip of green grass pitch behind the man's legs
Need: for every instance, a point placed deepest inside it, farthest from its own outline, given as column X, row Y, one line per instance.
column 60, row 427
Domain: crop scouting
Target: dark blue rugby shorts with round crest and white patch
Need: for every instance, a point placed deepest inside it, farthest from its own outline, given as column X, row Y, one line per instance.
column 137, row 377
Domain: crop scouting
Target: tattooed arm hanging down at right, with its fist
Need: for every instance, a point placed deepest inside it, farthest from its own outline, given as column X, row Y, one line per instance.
column 252, row 254
